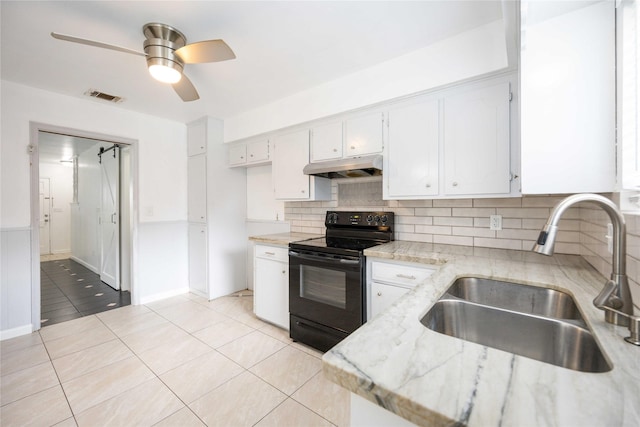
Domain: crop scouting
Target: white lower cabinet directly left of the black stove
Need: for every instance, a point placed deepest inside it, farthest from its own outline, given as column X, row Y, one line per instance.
column 271, row 284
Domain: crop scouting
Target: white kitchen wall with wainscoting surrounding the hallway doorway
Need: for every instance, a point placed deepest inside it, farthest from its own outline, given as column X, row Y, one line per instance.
column 159, row 198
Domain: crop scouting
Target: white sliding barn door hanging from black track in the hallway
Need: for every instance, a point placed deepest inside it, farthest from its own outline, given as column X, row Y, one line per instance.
column 109, row 219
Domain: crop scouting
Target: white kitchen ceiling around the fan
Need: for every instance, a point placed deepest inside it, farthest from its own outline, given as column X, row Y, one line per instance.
column 282, row 47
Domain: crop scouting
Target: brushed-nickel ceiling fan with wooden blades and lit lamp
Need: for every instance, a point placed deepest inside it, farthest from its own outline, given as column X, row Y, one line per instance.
column 167, row 52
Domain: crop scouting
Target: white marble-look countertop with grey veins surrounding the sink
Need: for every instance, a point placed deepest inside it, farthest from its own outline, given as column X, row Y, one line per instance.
column 436, row 380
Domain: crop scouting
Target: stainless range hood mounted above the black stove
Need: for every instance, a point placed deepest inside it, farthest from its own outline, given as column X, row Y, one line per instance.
column 346, row 168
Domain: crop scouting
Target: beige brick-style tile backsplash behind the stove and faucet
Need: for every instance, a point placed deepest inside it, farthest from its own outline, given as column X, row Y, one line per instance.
column 466, row 222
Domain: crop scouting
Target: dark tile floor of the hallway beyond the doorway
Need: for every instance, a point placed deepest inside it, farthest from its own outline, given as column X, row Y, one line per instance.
column 69, row 290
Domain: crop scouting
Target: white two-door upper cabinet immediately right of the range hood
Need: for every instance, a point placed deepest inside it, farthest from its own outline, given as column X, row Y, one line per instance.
column 453, row 143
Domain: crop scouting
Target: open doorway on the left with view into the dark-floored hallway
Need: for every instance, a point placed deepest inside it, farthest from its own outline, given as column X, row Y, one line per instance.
column 91, row 269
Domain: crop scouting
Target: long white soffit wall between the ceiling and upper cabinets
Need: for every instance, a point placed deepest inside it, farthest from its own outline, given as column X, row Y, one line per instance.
column 475, row 52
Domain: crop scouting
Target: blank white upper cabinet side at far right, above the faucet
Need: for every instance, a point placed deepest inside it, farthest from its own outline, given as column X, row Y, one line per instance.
column 568, row 102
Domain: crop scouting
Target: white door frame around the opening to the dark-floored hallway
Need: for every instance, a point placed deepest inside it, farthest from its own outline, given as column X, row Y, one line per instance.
column 34, row 129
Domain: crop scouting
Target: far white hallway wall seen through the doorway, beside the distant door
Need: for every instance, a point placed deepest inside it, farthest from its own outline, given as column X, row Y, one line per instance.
column 61, row 190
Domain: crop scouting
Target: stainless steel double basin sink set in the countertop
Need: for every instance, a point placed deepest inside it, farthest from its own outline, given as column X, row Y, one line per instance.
column 539, row 323
